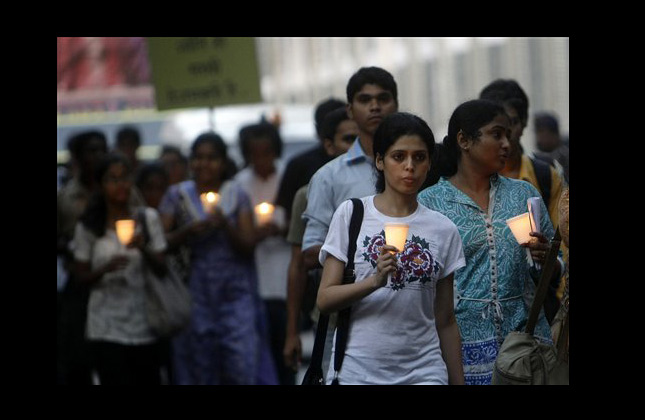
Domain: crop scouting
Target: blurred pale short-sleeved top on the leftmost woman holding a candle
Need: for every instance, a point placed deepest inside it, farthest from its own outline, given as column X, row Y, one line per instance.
column 116, row 307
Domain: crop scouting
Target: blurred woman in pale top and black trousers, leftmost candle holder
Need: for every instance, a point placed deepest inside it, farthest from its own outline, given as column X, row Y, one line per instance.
column 125, row 350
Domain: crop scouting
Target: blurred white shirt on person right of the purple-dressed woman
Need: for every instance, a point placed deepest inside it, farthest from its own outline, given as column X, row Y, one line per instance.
column 273, row 254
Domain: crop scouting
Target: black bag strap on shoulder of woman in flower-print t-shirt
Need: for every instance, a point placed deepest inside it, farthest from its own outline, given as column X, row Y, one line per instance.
column 342, row 325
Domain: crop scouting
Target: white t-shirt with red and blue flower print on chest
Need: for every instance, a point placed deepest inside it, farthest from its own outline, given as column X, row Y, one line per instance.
column 392, row 335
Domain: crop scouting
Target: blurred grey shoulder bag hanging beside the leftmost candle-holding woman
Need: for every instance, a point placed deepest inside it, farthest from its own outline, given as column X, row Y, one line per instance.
column 168, row 302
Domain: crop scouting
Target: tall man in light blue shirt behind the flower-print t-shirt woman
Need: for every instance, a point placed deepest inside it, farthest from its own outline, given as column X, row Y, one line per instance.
column 371, row 95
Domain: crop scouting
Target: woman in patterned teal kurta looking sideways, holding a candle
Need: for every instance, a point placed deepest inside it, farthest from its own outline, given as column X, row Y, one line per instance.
column 494, row 291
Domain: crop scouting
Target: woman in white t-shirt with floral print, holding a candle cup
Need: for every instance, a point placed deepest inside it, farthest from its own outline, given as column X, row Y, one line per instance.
column 402, row 328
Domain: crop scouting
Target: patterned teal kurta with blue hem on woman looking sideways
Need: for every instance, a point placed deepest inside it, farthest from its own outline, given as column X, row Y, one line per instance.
column 494, row 291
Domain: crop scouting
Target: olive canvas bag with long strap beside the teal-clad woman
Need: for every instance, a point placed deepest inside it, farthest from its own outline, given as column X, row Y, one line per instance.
column 522, row 358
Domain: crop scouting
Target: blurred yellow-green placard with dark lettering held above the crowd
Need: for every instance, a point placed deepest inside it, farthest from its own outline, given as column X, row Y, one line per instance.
column 203, row 72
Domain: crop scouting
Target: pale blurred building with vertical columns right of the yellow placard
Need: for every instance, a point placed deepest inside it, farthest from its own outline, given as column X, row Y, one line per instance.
column 434, row 75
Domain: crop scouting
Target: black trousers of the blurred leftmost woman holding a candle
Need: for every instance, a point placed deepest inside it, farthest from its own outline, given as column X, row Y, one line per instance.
column 119, row 364
